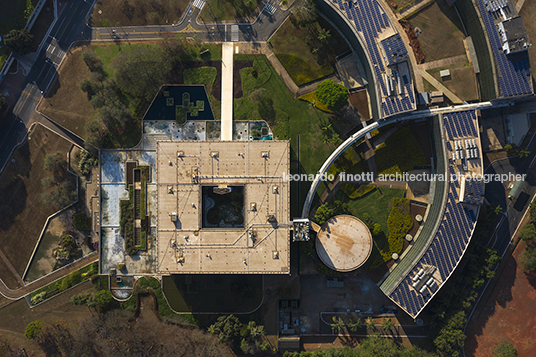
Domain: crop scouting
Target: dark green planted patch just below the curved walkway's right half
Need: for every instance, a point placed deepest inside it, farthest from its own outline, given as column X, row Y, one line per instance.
column 399, row 154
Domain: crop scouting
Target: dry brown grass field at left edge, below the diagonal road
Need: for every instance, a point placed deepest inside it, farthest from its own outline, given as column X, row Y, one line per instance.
column 22, row 212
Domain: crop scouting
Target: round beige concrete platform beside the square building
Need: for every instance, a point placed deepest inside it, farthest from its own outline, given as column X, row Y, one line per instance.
column 344, row 243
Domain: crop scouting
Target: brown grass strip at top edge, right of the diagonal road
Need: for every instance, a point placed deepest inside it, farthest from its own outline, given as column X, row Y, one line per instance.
column 136, row 12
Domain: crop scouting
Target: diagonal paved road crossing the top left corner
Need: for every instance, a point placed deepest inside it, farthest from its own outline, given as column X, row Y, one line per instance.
column 67, row 29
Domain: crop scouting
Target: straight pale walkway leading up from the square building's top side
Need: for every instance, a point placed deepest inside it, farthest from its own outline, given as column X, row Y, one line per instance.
column 227, row 91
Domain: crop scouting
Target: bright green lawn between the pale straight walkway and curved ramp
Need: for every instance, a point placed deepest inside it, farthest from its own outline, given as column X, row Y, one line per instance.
column 288, row 118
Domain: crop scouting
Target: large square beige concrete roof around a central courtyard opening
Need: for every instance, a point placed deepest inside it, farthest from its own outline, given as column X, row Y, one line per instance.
column 261, row 246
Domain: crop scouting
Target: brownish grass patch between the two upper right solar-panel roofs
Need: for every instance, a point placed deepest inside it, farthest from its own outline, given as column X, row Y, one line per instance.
column 442, row 35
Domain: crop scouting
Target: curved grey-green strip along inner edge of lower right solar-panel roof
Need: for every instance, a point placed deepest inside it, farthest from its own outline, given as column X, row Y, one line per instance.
column 435, row 212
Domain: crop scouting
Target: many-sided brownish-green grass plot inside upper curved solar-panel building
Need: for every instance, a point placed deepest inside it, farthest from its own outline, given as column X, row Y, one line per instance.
column 294, row 46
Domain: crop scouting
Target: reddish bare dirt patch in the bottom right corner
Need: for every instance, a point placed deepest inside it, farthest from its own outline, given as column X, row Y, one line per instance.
column 509, row 313
